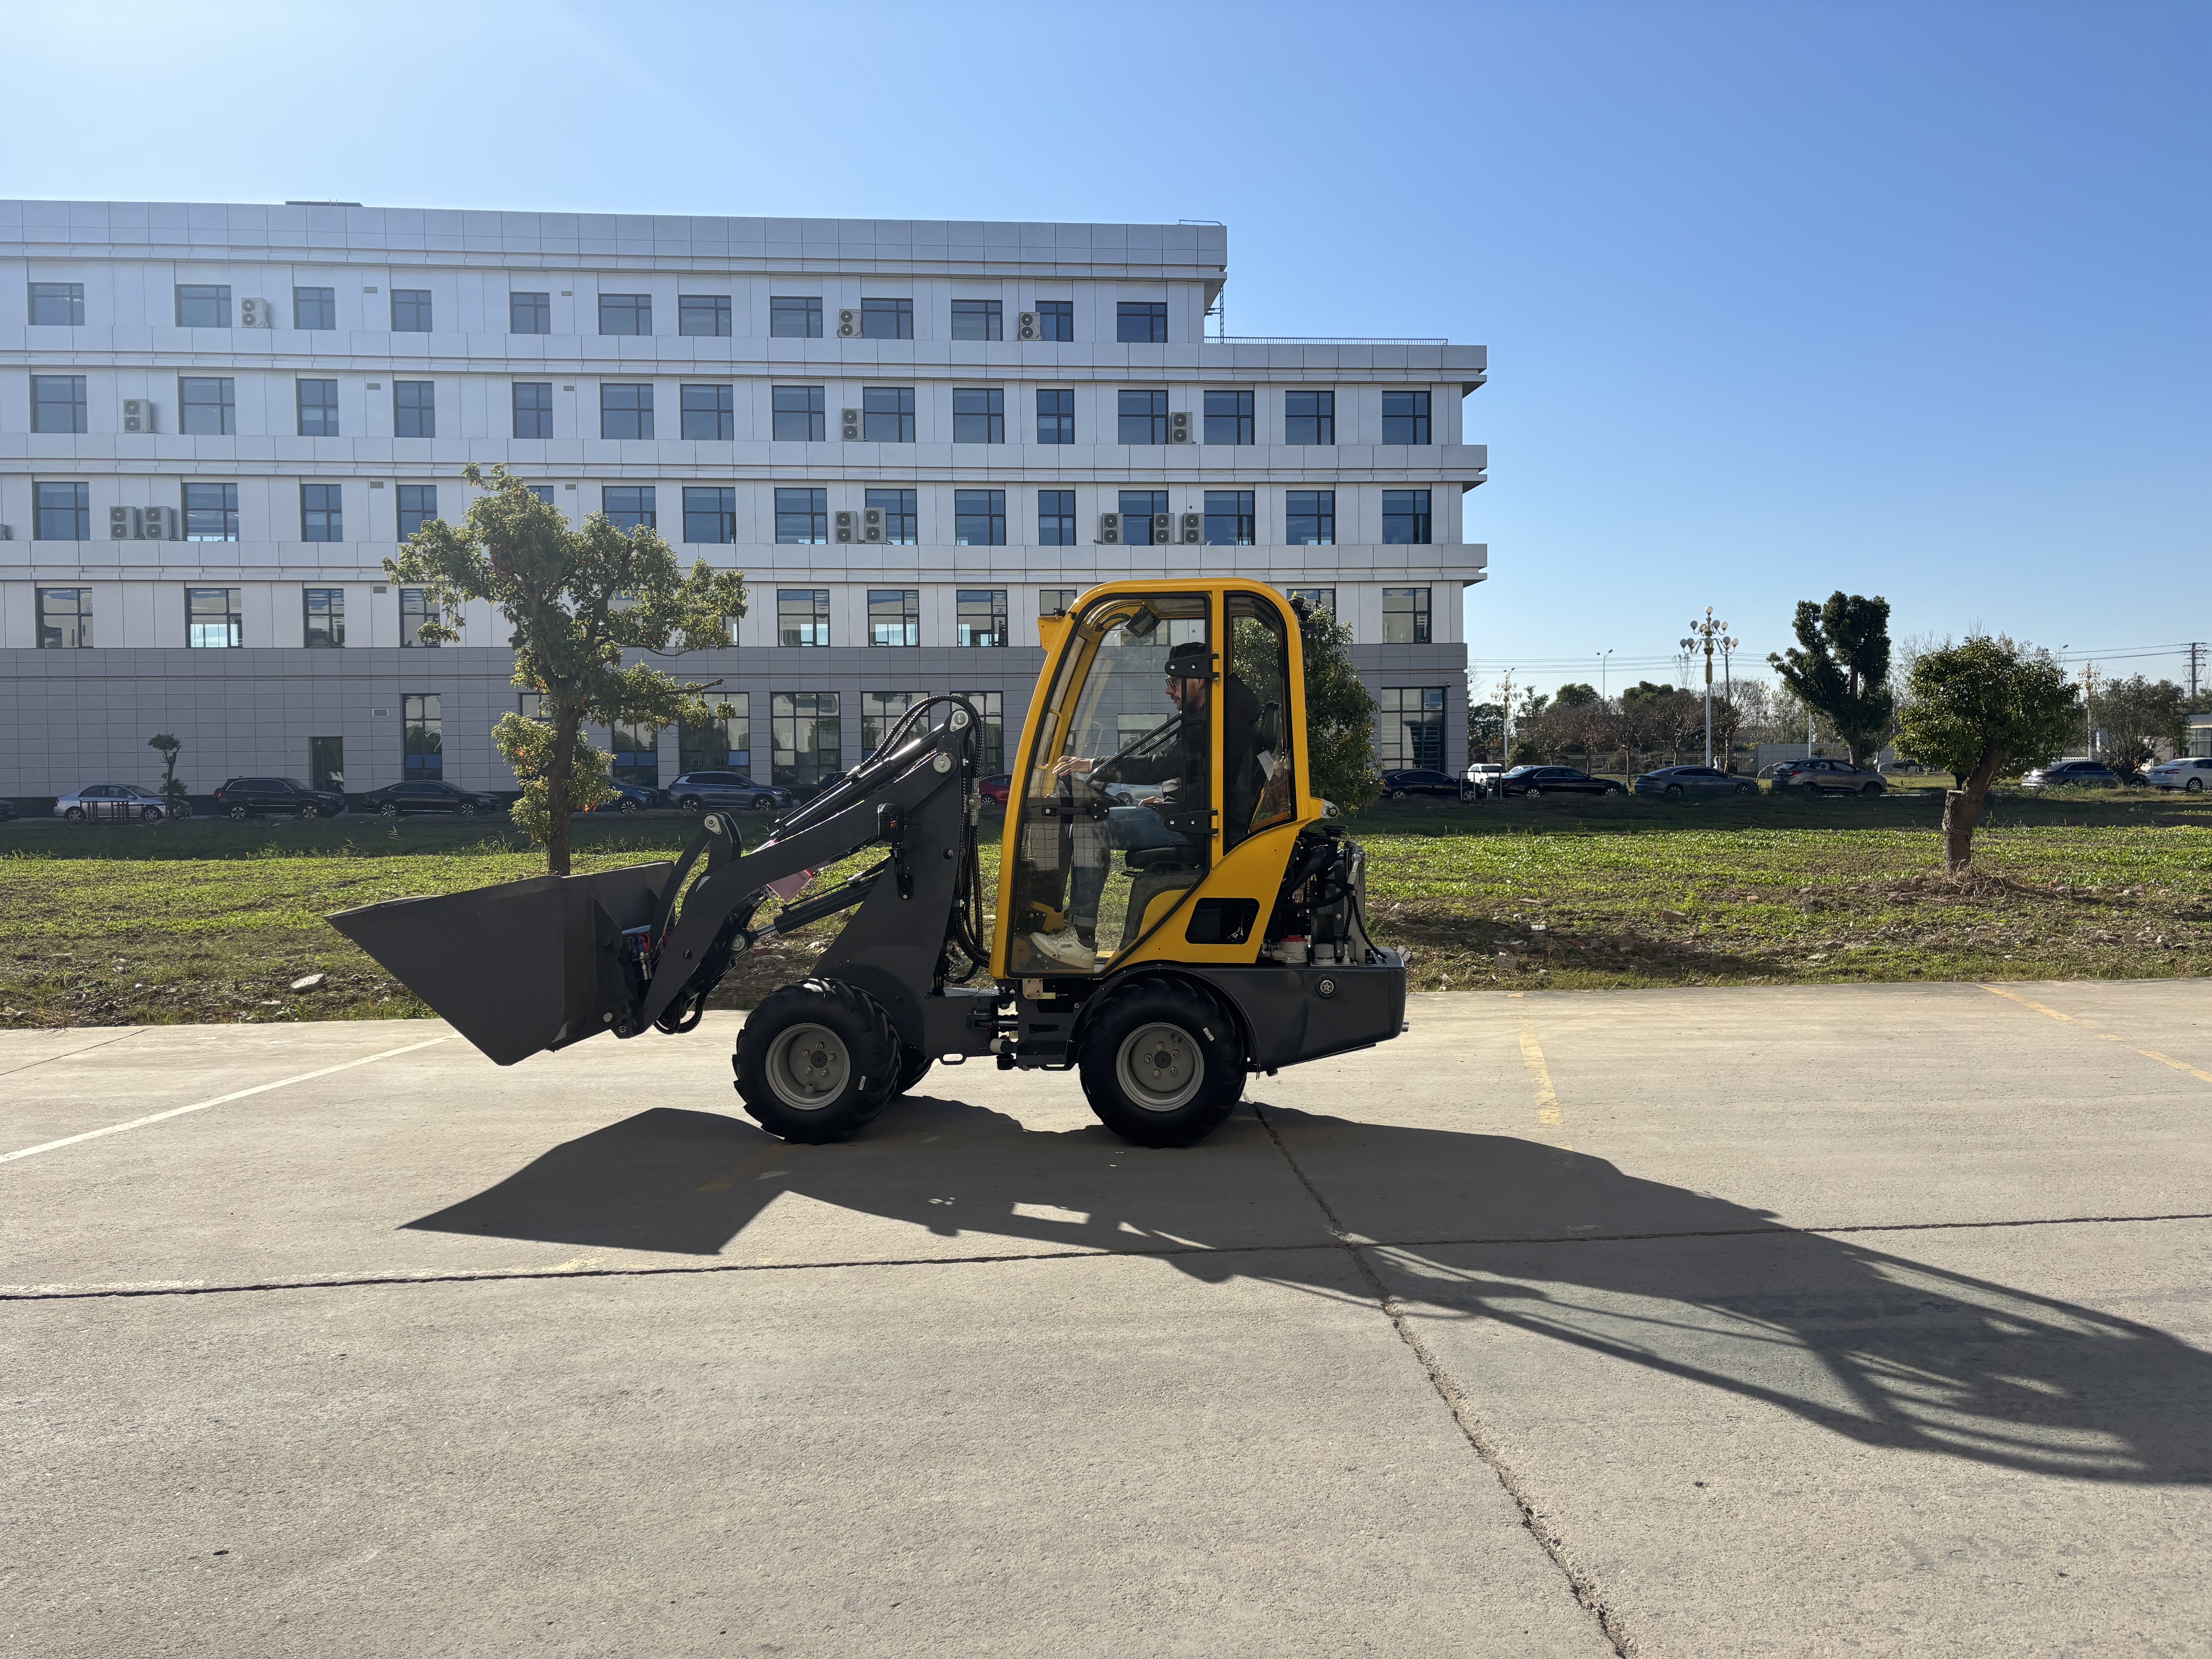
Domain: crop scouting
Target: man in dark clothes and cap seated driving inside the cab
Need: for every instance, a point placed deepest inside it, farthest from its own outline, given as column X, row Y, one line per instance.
column 1182, row 769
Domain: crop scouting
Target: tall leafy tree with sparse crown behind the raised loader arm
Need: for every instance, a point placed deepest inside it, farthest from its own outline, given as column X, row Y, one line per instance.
column 578, row 601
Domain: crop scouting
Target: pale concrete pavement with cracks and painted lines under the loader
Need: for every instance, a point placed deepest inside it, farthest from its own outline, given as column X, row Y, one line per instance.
column 1722, row 1322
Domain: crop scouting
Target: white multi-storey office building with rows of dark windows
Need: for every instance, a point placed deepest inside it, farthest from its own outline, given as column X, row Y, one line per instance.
column 912, row 437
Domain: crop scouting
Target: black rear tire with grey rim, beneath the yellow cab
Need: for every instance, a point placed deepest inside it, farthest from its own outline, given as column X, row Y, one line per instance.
column 1162, row 1065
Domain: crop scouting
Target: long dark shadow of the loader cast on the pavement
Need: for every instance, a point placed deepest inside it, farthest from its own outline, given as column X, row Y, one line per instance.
column 1872, row 1346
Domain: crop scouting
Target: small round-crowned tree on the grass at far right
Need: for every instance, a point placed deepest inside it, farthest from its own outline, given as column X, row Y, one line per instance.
column 1981, row 709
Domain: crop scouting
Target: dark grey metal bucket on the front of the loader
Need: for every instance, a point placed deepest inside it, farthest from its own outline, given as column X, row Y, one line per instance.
column 519, row 968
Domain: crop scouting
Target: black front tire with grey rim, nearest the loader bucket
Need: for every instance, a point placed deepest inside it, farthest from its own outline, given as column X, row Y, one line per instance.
column 817, row 1063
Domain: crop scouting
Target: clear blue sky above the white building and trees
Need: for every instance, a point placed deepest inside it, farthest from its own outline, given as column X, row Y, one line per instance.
column 1899, row 298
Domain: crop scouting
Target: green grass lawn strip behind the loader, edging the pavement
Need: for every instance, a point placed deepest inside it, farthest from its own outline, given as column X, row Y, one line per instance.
column 216, row 921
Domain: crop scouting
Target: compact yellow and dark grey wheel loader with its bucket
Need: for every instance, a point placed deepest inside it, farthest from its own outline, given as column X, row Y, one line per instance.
column 1176, row 908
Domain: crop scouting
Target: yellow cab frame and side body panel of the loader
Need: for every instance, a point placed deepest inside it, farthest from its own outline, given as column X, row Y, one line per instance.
column 1253, row 868
